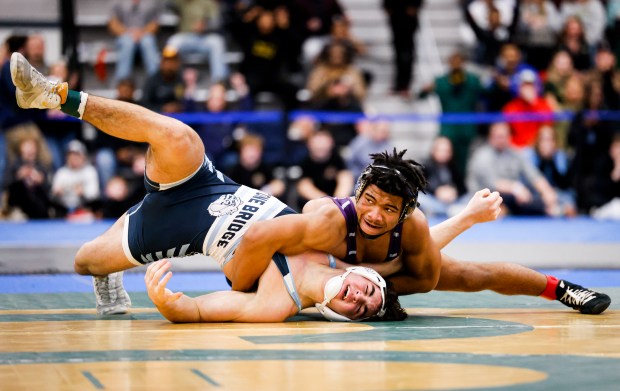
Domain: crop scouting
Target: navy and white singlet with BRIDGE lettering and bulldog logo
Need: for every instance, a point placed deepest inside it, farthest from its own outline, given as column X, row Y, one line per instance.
column 205, row 213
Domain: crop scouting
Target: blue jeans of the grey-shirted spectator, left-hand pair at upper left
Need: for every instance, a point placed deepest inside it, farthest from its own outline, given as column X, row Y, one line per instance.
column 126, row 48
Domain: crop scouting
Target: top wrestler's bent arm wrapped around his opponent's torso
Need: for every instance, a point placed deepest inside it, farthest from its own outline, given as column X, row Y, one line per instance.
column 289, row 235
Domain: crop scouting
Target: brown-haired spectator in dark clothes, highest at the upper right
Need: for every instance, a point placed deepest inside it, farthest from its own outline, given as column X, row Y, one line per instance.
column 573, row 40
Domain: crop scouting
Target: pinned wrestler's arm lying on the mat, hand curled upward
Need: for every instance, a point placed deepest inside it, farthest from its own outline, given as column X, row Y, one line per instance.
column 223, row 306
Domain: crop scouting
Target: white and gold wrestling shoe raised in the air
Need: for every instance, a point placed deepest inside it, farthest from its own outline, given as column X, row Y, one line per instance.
column 35, row 91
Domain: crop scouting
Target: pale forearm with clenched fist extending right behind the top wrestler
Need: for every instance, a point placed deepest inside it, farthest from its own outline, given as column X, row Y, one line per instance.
column 484, row 206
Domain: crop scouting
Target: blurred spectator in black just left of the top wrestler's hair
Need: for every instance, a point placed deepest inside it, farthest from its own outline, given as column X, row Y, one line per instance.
column 324, row 172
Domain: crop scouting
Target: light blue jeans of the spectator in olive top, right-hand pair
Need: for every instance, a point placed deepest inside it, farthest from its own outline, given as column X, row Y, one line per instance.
column 211, row 46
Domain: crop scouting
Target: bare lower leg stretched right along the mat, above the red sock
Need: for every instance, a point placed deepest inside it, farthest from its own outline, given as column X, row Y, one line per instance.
column 501, row 277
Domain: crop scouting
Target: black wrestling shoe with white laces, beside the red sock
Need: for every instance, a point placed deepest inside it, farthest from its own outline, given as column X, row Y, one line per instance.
column 582, row 299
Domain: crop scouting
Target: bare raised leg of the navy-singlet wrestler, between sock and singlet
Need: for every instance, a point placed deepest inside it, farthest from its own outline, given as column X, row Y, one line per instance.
column 175, row 152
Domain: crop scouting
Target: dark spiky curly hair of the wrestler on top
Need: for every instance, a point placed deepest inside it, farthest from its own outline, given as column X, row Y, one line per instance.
column 394, row 175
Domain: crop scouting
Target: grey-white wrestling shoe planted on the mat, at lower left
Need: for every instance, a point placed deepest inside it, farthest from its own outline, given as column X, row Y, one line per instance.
column 112, row 298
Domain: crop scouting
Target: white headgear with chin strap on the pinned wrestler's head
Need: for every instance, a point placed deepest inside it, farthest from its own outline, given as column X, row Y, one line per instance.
column 334, row 285
